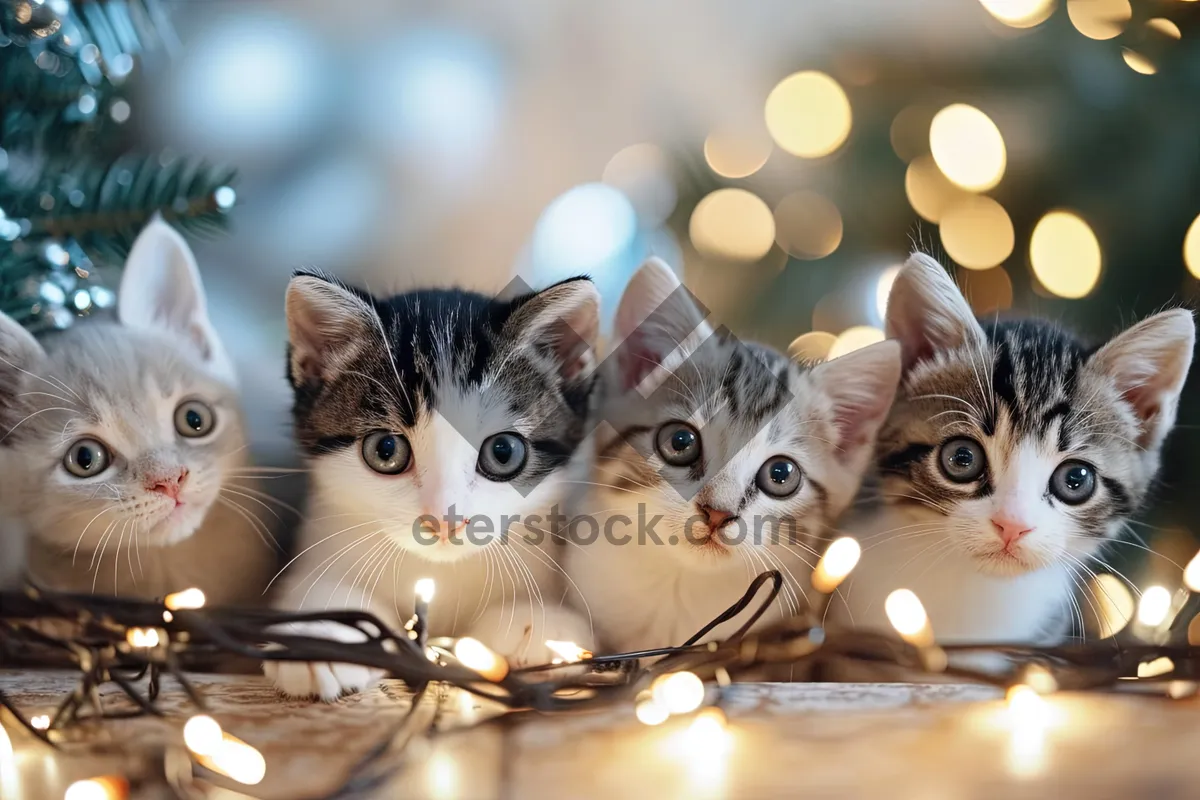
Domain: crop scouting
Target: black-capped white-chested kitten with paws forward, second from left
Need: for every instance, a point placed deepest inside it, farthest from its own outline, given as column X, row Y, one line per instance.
column 423, row 406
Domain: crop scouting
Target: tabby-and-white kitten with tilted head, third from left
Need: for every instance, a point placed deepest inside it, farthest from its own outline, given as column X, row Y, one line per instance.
column 742, row 456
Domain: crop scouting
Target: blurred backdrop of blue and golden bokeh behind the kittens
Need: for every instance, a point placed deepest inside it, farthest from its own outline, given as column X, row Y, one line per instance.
column 783, row 155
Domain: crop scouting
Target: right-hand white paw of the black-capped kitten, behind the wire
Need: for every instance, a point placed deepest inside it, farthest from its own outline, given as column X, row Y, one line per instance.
column 520, row 635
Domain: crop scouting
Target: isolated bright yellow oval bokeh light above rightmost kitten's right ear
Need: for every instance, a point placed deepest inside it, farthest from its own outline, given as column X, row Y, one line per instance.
column 1066, row 255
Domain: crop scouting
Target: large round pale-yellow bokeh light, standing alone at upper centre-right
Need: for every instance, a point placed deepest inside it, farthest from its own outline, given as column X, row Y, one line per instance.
column 808, row 115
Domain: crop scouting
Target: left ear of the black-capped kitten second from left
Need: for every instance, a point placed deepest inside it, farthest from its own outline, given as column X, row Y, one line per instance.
column 328, row 326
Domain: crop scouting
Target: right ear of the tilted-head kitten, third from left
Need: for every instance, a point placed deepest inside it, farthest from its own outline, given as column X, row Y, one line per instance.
column 861, row 387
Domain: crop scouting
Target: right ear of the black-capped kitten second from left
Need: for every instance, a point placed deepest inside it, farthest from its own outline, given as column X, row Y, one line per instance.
column 563, row 322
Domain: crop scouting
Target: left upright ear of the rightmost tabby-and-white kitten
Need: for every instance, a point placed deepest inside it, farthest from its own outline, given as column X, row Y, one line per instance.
column 928, row 314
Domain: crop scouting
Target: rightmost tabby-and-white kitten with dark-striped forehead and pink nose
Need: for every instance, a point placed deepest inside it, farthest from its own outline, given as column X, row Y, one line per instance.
column 1012, row 455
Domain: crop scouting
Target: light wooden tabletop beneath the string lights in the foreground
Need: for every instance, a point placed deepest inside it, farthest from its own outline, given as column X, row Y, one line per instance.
column 811, row 741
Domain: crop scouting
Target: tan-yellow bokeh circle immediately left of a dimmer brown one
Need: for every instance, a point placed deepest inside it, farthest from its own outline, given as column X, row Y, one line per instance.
column 733, row 225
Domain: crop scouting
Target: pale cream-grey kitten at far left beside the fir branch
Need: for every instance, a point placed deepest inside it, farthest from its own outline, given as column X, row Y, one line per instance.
column 122, row 444
